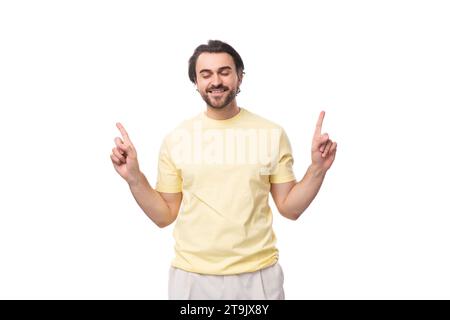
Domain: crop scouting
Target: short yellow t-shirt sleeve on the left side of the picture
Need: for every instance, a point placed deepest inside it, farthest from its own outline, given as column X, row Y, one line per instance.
column 169, row 177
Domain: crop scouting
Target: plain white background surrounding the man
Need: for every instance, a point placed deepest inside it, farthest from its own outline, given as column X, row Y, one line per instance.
column 69, row 70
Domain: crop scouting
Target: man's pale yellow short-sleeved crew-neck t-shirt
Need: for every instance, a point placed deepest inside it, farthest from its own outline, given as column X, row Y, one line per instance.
column 224, row 169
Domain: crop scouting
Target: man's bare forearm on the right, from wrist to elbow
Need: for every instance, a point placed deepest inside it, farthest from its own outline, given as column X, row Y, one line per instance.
column 303, row 192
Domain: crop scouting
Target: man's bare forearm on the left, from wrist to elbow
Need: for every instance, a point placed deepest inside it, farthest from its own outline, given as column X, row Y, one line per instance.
column 151, row 201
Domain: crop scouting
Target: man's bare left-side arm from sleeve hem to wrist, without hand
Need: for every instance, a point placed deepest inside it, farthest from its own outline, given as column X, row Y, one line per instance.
column 162, row 208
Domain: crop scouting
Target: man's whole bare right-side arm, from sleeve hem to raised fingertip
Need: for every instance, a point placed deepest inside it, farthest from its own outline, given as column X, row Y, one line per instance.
column 292, row 198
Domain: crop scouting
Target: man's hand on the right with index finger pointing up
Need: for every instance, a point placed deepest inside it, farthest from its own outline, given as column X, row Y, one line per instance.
column 323, row 150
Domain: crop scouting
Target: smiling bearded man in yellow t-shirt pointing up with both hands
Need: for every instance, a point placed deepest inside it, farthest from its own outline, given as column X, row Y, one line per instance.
column 222, row 164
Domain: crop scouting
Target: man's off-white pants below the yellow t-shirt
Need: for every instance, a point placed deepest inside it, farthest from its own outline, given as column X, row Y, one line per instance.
column 264, row 284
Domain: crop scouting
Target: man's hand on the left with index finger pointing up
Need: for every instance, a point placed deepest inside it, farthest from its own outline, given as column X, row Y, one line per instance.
column 124, row 157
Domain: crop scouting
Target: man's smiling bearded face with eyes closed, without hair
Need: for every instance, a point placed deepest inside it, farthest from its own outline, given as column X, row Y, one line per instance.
column 217, row 79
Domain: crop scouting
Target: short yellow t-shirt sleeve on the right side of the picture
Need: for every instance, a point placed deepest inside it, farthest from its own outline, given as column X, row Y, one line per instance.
column 283, row 171
